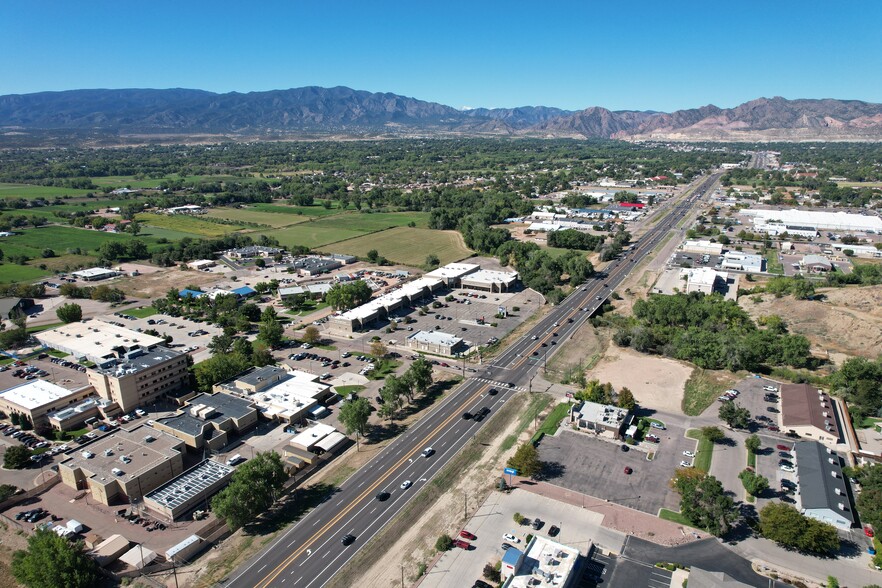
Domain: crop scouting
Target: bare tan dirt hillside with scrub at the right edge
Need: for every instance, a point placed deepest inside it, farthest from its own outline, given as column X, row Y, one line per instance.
column 848, row 322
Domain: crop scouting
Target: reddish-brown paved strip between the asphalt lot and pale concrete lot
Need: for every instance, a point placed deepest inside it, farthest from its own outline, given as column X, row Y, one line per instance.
column 615, row 516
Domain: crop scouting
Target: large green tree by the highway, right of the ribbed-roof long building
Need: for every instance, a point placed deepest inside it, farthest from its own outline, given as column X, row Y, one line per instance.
column 252, row 489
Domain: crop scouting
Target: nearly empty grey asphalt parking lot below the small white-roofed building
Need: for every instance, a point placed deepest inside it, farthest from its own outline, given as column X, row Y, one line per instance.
column 596, row 467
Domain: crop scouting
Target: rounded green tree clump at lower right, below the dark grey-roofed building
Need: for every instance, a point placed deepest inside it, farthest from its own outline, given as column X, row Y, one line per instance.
column 784, row 524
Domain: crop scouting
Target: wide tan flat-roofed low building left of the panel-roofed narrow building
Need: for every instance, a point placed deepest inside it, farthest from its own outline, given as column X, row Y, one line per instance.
column 124, row 465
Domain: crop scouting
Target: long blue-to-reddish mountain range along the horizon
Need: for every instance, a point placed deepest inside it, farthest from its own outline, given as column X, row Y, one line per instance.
column 340, row 111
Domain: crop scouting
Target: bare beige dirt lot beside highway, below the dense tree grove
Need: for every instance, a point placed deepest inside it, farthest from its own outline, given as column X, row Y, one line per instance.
column 656, row 382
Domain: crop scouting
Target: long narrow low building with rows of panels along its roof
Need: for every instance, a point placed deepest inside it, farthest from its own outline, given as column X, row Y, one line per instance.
column 191, row 489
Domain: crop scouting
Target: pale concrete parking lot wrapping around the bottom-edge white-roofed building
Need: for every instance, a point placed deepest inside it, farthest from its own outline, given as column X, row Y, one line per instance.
column 577, row 528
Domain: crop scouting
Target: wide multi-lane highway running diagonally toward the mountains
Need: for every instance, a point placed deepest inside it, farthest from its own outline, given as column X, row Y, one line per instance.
column 310, row 552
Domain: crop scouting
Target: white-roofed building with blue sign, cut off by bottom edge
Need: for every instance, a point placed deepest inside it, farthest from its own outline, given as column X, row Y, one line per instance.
column 544, row 564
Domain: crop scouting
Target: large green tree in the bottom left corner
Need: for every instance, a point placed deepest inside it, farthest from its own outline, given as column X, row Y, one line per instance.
column 51, row 561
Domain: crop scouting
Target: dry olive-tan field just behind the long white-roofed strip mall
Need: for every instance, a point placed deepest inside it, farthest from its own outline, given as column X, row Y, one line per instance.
column 408, row 246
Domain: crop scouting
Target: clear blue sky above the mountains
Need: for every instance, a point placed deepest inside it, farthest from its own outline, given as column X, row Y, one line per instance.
column 621, row 55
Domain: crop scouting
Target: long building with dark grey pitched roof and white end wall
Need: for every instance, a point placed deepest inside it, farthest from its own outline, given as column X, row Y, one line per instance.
column 823, row 494
